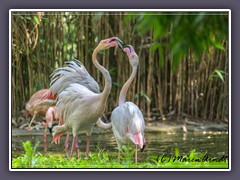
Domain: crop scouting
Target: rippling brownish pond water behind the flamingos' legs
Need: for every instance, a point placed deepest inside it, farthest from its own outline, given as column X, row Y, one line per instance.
column 215, row 144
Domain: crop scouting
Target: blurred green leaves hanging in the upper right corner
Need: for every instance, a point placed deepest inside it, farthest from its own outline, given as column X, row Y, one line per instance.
column 181, row 32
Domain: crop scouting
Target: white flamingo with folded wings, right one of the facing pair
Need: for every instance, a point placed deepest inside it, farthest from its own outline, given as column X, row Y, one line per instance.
column 127, row 120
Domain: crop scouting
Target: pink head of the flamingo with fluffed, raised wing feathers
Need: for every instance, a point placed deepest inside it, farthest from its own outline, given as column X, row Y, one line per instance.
column 110, row 42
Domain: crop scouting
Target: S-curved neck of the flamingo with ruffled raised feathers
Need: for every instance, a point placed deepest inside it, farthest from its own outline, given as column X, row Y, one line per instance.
column 108, row 81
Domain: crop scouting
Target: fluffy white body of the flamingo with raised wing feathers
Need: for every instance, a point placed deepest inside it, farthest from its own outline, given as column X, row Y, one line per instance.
column 73, row 103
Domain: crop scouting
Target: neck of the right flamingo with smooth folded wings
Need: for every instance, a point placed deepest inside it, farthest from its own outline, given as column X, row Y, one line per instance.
column 123, row 92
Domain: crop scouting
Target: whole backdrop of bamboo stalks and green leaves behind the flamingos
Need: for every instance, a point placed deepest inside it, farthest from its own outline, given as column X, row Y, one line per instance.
column 162, row 40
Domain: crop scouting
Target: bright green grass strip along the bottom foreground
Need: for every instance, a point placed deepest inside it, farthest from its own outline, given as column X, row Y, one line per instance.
column 102, row 159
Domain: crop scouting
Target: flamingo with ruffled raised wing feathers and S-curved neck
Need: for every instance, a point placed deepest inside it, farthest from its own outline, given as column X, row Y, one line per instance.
column 80, row 104
